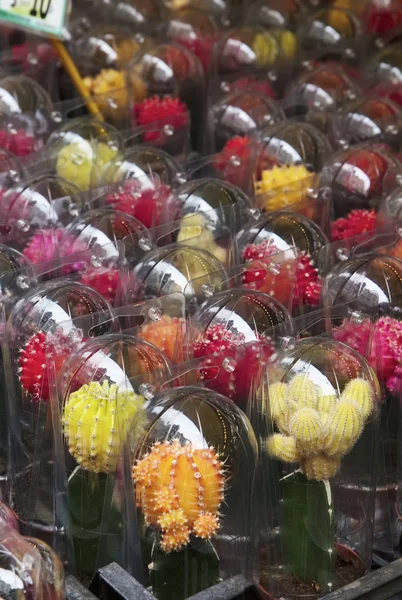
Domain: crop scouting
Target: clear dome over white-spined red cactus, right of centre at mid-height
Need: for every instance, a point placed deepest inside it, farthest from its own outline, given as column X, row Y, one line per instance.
column 280, row 253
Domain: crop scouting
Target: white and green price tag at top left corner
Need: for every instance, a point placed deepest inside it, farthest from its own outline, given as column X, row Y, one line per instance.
column 43, row 16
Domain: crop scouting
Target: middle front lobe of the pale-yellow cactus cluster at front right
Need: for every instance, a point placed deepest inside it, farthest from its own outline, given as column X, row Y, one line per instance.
column 306, row 427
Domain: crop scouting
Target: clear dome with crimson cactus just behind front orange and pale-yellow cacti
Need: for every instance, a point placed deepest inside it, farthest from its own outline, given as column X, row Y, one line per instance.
column 236, row 333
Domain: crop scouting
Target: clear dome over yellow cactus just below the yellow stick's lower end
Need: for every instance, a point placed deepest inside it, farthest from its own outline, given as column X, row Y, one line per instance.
column 81, row 149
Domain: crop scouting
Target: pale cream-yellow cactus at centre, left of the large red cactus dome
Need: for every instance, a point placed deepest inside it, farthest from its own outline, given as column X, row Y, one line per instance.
column 193, row 232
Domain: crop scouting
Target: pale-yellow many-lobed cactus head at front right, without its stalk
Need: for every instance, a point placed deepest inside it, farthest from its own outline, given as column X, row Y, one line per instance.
column 317, row 430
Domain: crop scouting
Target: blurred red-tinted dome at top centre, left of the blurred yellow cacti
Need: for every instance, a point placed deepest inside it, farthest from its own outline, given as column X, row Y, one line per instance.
column 196, row 30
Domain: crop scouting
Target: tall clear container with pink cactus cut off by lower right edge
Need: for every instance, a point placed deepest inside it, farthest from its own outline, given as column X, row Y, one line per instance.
column 371, row 287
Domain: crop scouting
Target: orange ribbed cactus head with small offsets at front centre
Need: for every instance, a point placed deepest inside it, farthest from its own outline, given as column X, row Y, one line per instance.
column 179, row 490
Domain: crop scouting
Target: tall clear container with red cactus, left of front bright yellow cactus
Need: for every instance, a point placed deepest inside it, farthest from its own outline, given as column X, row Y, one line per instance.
column 50, row 308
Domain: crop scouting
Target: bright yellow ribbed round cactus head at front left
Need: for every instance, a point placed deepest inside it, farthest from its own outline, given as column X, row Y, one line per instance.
column 96, row 421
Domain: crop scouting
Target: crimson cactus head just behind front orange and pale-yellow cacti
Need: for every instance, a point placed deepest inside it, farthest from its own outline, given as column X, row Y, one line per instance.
column 229, row 365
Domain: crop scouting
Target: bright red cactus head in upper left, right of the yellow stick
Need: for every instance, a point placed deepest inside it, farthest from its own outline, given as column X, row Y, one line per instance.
column 161, row 111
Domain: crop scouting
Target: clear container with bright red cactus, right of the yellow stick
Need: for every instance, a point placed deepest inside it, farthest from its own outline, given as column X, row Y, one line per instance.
column 167, row 83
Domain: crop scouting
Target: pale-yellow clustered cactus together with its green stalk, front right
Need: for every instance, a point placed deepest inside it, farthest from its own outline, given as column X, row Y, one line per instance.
column 316, row 431
